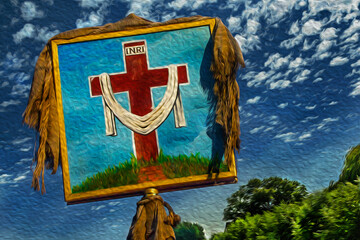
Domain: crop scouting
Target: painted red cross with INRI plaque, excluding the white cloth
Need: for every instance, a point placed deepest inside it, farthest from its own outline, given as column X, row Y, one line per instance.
column 137, row 80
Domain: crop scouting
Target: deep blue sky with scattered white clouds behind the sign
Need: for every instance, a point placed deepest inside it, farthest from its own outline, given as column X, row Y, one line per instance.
column 299, row 105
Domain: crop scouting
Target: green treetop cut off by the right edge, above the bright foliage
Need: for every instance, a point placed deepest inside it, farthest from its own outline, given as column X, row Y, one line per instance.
column 351, row 169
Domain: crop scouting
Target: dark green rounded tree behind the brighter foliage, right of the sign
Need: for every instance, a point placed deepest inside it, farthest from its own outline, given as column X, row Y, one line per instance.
column 258, row 196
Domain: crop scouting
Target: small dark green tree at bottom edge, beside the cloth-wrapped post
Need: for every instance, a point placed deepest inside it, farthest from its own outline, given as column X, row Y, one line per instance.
column 189, row 231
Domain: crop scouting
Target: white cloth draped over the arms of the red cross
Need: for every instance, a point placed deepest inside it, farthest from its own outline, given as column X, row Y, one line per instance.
column 149, row 122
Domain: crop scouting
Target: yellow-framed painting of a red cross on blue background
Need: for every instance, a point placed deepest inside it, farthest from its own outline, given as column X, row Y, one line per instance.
column 137, row 110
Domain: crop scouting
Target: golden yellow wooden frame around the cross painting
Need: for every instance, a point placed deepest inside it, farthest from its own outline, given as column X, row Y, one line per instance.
column 136, row 189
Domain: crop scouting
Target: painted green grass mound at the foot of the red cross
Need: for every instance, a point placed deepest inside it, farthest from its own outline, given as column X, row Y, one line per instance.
column 173, row 167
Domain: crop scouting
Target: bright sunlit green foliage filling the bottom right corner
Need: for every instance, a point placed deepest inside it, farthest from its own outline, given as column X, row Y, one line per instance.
column 323, row 215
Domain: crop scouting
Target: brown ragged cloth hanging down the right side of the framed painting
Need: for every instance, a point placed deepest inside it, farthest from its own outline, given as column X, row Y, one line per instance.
column 227, row 58
